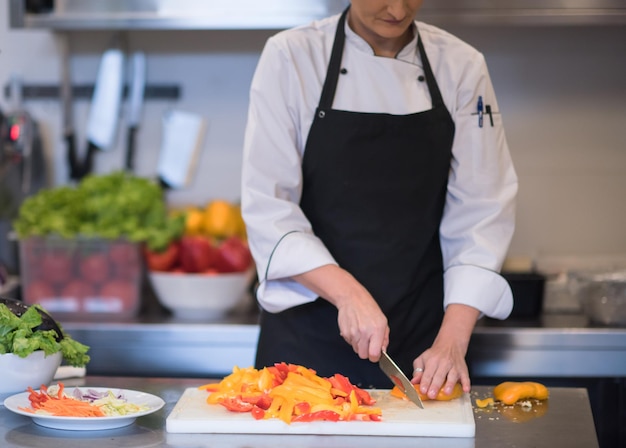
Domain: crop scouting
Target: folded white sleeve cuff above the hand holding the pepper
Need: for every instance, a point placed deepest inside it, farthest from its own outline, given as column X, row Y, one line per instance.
column 480, row 288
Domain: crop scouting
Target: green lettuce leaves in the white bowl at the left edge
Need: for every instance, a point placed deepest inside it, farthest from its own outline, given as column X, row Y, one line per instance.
column 19, row 335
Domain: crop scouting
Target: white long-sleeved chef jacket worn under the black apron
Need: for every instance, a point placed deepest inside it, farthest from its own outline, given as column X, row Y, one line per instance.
column 479, row 213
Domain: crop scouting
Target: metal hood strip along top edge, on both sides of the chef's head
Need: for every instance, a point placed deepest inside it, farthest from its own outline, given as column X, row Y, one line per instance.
column 280, row 14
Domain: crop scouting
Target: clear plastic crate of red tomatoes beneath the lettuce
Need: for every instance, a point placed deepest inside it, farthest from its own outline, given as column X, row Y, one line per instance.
column 81, row 278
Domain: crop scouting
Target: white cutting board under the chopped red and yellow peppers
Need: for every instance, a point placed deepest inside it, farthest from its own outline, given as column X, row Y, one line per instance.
column 453, row 418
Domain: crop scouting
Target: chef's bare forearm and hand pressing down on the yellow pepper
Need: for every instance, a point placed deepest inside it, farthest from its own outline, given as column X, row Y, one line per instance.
column 444, row 363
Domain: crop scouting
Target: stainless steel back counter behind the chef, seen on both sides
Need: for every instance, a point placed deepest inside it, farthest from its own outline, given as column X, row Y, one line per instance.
column 552, row 346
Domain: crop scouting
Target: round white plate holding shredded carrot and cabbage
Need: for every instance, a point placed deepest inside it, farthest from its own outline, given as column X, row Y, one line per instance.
column 153, row 403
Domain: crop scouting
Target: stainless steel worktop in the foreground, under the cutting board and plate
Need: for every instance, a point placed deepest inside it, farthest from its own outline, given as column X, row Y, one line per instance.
column 567, row 422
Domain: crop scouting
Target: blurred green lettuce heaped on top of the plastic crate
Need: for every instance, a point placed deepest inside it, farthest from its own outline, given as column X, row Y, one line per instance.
column 112, row 206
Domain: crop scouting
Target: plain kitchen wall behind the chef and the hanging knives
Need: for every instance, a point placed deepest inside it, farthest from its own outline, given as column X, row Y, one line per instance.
column 561, row 91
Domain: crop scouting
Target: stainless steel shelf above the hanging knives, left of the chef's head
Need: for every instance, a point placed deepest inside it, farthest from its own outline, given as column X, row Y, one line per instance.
column 74, row 15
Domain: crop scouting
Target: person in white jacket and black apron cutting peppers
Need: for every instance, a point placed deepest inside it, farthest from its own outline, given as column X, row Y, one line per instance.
column 378, row 194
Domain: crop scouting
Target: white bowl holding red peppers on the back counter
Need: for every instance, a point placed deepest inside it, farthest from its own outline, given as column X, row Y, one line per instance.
column 201, row 296
